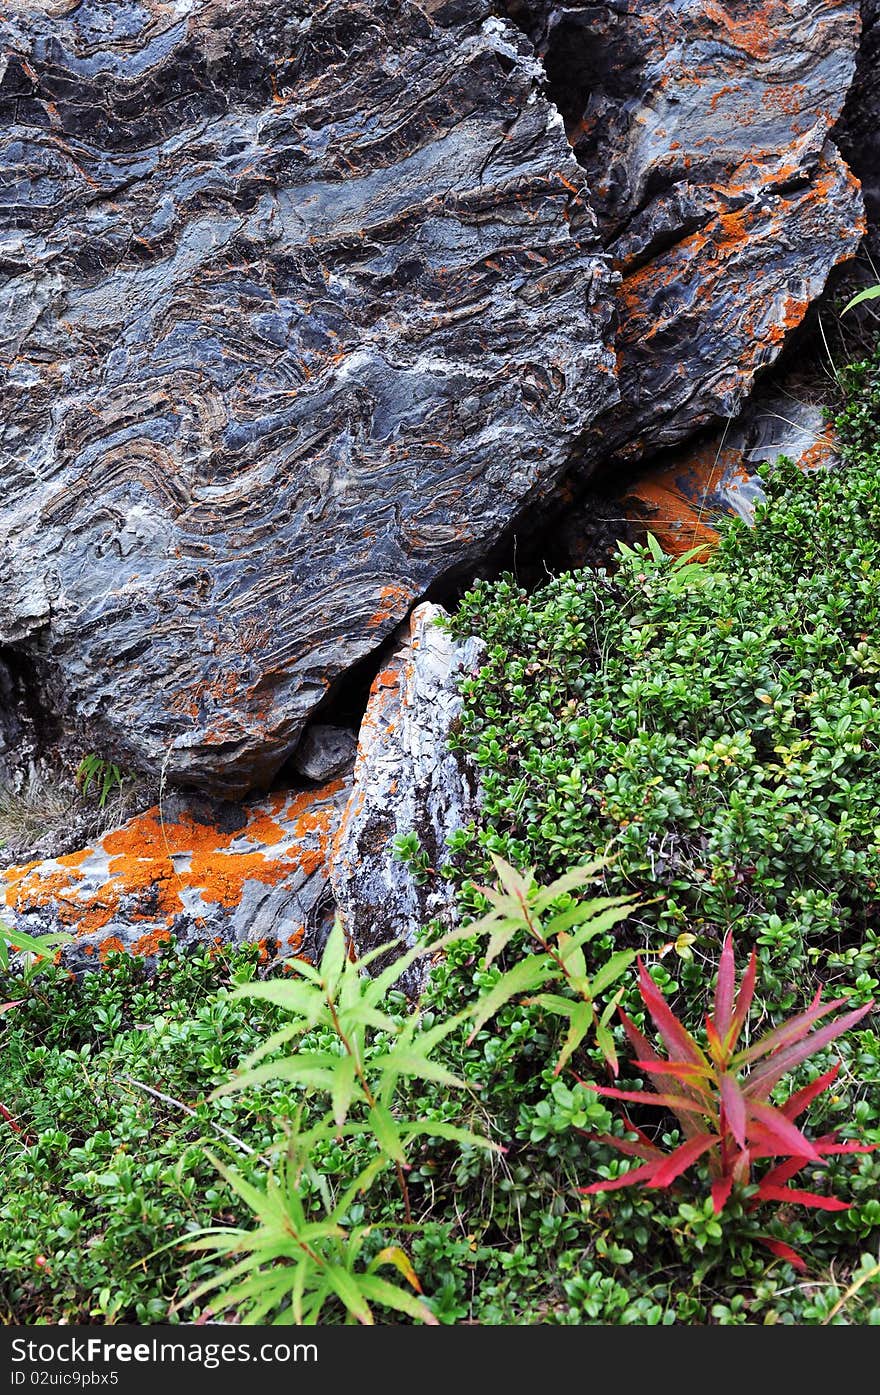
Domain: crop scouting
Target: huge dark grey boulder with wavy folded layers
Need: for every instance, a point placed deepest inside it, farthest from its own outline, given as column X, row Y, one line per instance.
column 301, row 306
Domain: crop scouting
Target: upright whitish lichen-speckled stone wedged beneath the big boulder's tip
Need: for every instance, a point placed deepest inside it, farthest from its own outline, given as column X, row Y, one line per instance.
column 407, row 782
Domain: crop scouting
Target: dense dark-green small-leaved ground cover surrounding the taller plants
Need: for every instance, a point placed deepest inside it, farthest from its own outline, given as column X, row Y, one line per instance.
column 715, row 730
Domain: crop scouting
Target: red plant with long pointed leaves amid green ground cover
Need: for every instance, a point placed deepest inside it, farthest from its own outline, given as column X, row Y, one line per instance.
column 722, row 1097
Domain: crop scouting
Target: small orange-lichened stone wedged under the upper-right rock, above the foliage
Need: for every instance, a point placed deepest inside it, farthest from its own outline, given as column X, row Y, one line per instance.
column 684, row 500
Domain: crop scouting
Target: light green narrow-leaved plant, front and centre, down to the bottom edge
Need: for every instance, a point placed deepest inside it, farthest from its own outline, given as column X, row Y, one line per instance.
column 291, row 1266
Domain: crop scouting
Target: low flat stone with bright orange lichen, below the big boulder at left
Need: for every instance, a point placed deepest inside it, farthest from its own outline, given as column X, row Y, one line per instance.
column 189, row 874
